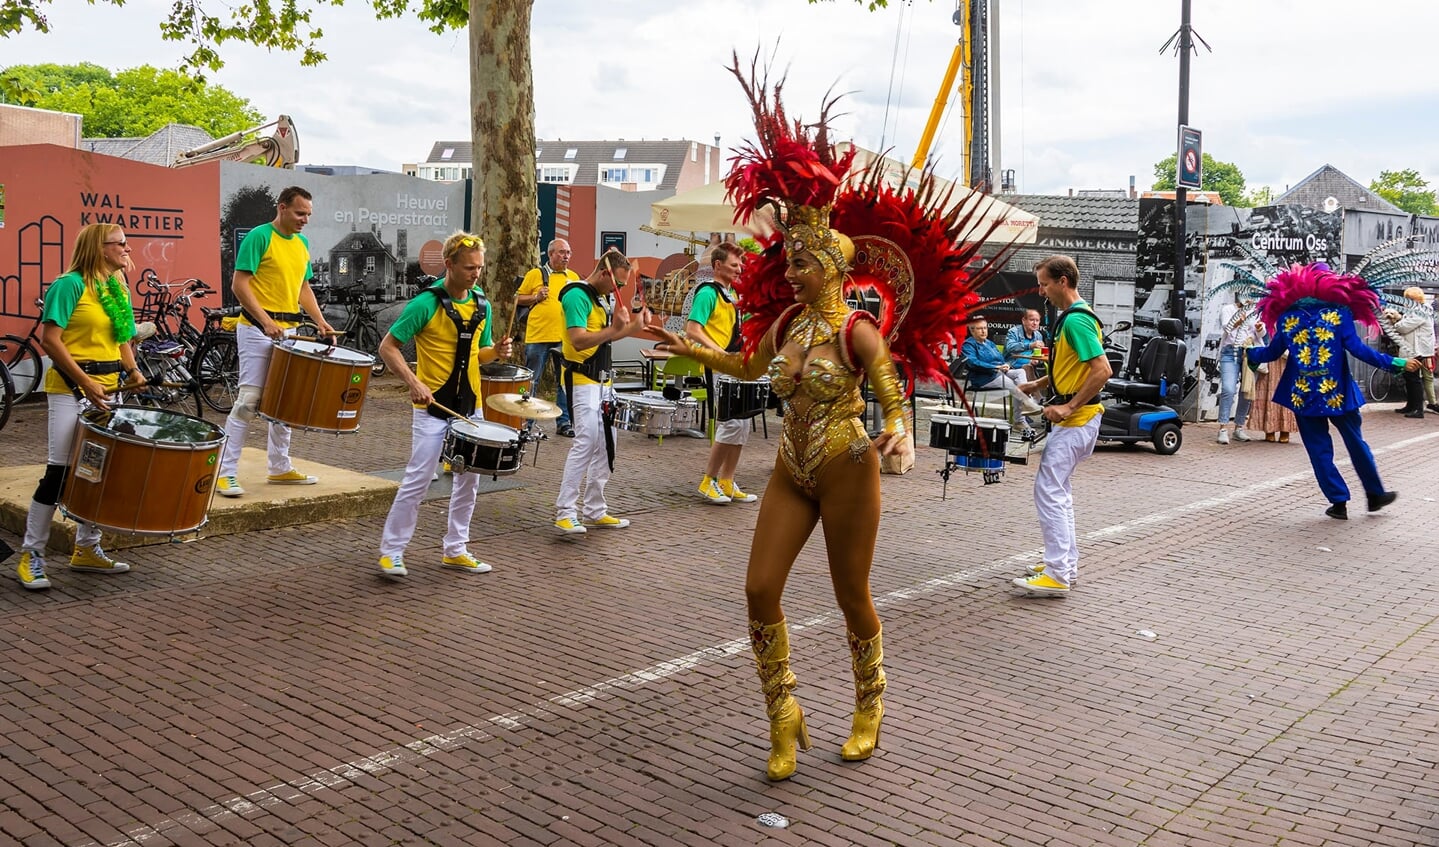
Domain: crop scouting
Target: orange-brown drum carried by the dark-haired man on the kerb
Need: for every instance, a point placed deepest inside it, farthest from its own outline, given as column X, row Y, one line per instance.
column 314, row 386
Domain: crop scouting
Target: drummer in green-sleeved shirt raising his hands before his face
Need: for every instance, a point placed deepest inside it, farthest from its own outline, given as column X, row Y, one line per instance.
column 589, row 330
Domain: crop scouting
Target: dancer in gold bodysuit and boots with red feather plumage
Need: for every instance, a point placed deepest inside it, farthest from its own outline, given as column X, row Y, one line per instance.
column 817, row 350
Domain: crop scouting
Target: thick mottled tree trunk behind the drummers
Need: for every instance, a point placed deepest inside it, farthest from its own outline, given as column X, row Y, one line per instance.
column 501, row 94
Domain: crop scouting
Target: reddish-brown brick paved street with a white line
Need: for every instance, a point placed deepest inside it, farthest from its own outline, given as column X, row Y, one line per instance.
column 273, row 690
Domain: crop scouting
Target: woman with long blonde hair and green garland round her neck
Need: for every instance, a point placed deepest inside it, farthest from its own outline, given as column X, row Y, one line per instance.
column 88, row 324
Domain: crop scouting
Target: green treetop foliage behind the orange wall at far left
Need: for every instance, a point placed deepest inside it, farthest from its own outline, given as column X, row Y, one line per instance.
column 130, row 103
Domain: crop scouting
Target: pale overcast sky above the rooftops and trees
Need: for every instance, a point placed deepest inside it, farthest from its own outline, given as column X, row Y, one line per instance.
column 1087, row 99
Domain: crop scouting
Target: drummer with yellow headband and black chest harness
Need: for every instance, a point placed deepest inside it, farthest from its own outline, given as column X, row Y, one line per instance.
column 451, row 327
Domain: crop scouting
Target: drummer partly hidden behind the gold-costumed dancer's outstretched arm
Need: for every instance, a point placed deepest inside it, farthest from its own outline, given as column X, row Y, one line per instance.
column 714, row 324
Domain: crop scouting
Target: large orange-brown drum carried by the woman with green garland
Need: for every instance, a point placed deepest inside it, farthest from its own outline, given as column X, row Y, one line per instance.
column 142, row 471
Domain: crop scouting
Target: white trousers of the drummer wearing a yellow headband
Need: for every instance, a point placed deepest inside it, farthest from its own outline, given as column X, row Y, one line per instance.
column 427, row 441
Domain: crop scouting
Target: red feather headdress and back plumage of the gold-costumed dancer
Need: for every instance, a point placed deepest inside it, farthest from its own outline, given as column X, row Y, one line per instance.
column 907, row 241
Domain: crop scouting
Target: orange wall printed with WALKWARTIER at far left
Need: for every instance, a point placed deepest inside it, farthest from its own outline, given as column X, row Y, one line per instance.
column 53, row 192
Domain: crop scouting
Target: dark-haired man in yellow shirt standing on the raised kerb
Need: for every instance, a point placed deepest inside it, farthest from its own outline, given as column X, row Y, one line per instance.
column 273, row 283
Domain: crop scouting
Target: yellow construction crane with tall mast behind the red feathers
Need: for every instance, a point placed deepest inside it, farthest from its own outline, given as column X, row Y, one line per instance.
column 972, row 57
